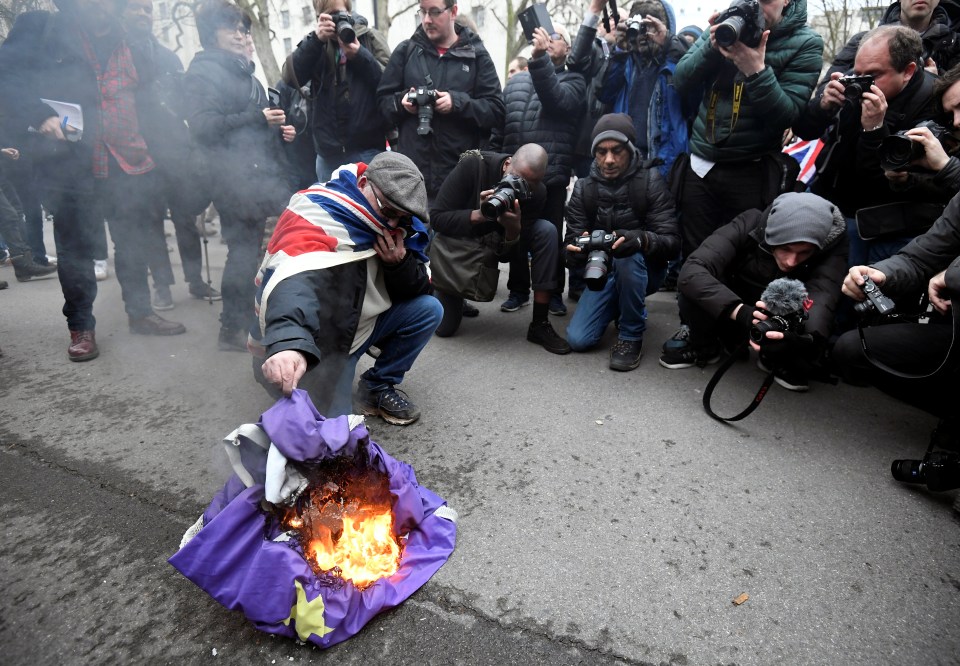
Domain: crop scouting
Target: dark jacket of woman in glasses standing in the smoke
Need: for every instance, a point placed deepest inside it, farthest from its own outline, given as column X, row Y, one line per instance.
column 224, row 104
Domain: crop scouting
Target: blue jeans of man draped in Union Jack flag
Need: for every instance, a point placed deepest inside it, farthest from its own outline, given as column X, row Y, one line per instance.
column 401, row 333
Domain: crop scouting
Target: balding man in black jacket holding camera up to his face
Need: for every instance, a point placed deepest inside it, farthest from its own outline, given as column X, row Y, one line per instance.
column 854, row 123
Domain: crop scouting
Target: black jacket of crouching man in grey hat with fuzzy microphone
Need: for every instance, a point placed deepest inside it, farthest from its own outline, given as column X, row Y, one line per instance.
column 734, row 265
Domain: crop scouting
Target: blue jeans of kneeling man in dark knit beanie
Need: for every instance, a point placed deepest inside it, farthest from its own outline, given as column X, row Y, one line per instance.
column 629, row 282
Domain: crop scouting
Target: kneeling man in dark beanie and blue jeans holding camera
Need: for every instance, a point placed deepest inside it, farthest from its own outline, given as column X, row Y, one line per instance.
column 622, row 224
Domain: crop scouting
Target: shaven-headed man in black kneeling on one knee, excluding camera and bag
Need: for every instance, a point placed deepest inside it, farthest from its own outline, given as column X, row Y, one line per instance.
column 457, row 212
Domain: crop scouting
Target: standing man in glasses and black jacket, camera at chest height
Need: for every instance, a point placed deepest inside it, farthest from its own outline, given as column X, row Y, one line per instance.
column 460, row 113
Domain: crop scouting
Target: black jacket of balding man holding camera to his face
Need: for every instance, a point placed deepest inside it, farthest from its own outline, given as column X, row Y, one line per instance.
column 848, row 168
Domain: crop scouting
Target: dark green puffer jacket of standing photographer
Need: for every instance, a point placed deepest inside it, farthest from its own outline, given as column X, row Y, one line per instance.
column 771, row 101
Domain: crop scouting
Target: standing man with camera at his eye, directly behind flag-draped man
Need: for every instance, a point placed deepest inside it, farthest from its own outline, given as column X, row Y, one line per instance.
column 343, row 75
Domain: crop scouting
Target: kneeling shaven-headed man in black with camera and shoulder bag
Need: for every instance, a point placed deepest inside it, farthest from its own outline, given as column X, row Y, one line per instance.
column 495, row 199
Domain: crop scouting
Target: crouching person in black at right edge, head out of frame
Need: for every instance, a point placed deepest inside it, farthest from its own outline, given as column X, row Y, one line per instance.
column 913, row 362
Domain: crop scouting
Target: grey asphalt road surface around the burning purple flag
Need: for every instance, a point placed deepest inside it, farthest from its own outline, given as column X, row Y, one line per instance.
column 604, row 518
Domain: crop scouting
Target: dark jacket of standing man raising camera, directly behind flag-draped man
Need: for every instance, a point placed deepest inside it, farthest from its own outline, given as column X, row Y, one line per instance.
column 343, row 97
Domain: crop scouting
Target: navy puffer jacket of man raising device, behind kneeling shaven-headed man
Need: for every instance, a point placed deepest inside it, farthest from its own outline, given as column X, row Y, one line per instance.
column 544, row 105
